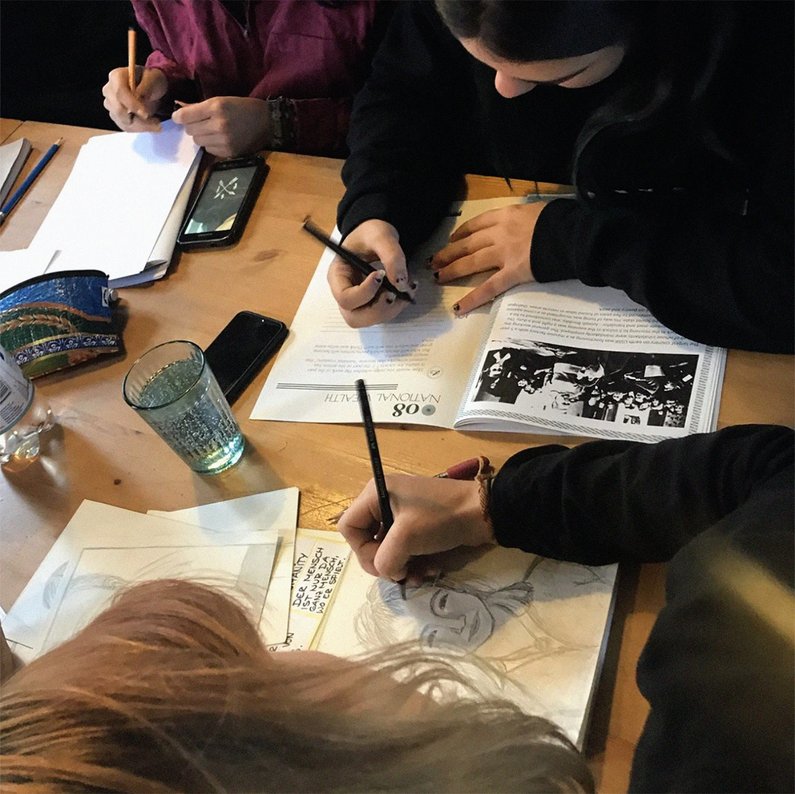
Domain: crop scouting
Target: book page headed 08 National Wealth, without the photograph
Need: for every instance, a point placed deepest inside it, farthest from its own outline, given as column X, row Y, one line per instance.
column 415, row 367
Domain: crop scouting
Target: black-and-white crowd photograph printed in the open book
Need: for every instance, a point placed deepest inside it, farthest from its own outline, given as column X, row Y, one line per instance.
column 645, row 389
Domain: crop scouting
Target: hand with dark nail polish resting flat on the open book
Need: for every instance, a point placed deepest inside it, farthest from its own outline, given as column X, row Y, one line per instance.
column 495, row 240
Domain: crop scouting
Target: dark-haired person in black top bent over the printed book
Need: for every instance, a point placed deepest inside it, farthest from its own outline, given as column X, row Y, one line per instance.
column 673, row 120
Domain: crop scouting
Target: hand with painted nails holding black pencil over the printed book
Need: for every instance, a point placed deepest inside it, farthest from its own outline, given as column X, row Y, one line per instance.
column 360, row 302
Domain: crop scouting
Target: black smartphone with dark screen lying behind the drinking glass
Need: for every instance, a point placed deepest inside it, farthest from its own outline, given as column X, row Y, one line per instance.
column 241, row 350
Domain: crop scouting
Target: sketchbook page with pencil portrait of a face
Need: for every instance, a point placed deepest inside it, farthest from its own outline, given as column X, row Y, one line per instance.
column 519, row 627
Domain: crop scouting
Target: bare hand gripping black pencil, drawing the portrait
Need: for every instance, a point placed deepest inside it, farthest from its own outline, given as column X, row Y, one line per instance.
column 431, row 516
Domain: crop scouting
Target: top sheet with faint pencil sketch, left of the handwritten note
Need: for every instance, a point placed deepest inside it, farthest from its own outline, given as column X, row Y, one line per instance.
column 104, row 548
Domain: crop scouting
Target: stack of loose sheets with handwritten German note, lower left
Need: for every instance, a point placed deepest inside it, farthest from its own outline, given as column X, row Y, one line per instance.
column 246, row 547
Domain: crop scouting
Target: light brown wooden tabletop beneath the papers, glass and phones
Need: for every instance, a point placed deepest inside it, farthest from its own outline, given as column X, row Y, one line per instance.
column 102, row 451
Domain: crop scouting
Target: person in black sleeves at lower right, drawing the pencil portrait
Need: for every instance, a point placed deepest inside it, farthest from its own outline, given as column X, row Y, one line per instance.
column 719, row 666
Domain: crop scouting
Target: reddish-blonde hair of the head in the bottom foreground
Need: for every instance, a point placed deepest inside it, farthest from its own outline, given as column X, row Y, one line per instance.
column 172, row 689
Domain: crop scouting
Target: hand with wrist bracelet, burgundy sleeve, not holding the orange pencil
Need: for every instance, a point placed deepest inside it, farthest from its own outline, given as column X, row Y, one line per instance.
column 226, row 126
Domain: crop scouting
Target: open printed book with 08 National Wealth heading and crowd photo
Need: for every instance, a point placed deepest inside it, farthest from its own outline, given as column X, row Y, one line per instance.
column 544, row 358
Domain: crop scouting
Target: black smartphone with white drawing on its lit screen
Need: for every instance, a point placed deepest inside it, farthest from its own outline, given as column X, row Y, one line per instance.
column 219, row 214
